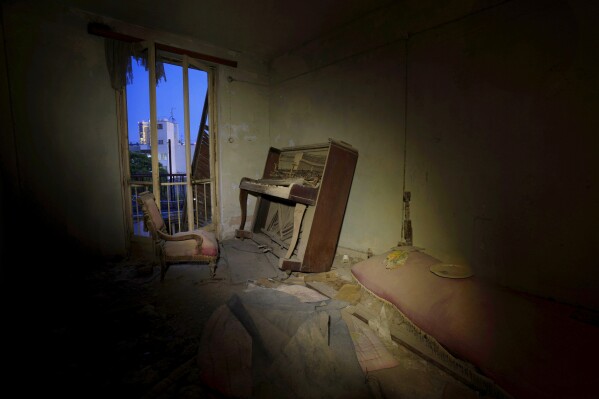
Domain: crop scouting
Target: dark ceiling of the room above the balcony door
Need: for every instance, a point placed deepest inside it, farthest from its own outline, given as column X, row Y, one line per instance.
column 263, row 28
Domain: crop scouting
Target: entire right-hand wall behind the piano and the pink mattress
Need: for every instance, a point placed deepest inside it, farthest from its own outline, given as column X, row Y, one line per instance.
column 501, row 108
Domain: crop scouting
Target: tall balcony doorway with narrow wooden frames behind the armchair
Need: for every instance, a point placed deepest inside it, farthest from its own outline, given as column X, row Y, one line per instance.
column 169, row 145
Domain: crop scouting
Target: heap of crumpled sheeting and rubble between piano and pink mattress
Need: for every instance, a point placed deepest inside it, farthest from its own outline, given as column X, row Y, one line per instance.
column 292, row 354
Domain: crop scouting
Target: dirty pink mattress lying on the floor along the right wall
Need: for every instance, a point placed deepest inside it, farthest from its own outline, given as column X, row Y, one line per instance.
column 531, row 348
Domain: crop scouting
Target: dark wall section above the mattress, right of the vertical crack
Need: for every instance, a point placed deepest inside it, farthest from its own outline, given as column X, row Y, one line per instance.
column 501, row 141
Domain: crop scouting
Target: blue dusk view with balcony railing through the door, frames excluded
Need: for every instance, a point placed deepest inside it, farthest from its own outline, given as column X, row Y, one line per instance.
column 170, row 145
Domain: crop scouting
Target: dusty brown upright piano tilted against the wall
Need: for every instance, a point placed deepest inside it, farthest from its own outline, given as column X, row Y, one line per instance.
column 300, row 205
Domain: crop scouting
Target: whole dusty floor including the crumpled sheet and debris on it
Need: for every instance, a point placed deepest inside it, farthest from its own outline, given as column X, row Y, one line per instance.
column 119, row 330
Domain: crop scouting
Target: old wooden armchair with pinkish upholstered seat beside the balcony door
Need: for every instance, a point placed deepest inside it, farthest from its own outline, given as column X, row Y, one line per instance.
column 192, row 246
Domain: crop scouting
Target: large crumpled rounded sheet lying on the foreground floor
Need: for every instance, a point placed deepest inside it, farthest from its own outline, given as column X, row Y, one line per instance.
column 298, row 349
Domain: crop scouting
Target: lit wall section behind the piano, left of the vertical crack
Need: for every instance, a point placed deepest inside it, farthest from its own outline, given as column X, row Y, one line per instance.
column 343, row 101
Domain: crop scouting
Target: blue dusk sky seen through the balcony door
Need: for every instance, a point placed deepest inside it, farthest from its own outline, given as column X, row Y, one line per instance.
column 169, row 97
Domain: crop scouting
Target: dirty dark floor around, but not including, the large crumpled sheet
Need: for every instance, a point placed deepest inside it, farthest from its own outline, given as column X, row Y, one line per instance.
column 115, row 330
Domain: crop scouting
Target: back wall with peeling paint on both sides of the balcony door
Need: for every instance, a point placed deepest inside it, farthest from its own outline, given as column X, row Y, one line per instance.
column 66, row 143
